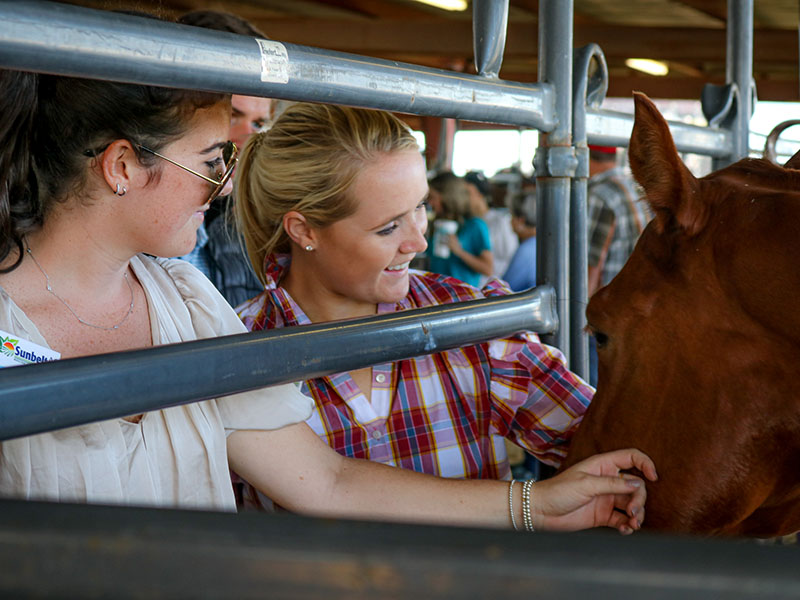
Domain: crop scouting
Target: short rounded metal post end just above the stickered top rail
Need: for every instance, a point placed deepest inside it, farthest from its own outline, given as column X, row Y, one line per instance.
column 489, row 24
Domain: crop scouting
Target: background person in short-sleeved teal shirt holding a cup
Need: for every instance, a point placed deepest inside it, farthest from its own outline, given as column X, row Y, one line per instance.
column 470, row 247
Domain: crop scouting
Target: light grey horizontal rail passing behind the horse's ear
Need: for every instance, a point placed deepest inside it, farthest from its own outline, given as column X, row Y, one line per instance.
column 611, row 128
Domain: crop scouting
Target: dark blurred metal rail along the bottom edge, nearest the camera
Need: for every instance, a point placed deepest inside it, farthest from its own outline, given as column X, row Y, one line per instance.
column 72, row 551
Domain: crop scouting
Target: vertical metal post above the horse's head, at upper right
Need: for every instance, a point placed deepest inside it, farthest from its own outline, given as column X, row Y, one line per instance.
column 739, row 70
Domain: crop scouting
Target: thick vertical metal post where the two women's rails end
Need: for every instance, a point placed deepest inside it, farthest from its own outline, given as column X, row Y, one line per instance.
column 555, row 162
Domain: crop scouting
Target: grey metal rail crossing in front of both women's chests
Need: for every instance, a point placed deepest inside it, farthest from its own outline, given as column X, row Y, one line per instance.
column 48, row 396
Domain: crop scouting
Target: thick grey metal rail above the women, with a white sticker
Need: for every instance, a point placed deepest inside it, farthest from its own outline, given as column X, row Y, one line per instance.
column 70, row 40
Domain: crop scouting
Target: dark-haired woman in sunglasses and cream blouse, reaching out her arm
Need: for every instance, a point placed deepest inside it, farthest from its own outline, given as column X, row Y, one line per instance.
column 98, row 178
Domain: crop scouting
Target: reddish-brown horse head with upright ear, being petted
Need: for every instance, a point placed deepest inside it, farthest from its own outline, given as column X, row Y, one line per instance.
column 699, row 343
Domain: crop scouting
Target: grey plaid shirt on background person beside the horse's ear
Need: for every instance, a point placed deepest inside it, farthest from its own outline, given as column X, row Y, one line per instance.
column 615, row 218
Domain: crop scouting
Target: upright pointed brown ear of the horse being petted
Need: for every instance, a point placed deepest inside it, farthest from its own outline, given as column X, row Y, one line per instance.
column 671, row 190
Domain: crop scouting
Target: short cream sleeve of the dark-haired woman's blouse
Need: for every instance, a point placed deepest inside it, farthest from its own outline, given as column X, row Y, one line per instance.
column 211, row 316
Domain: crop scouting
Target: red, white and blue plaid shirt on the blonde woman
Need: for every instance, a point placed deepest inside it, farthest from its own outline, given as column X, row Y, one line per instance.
column 447, row 413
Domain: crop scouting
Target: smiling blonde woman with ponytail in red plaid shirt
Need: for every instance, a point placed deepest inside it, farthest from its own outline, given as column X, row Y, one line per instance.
column 331, row 202
